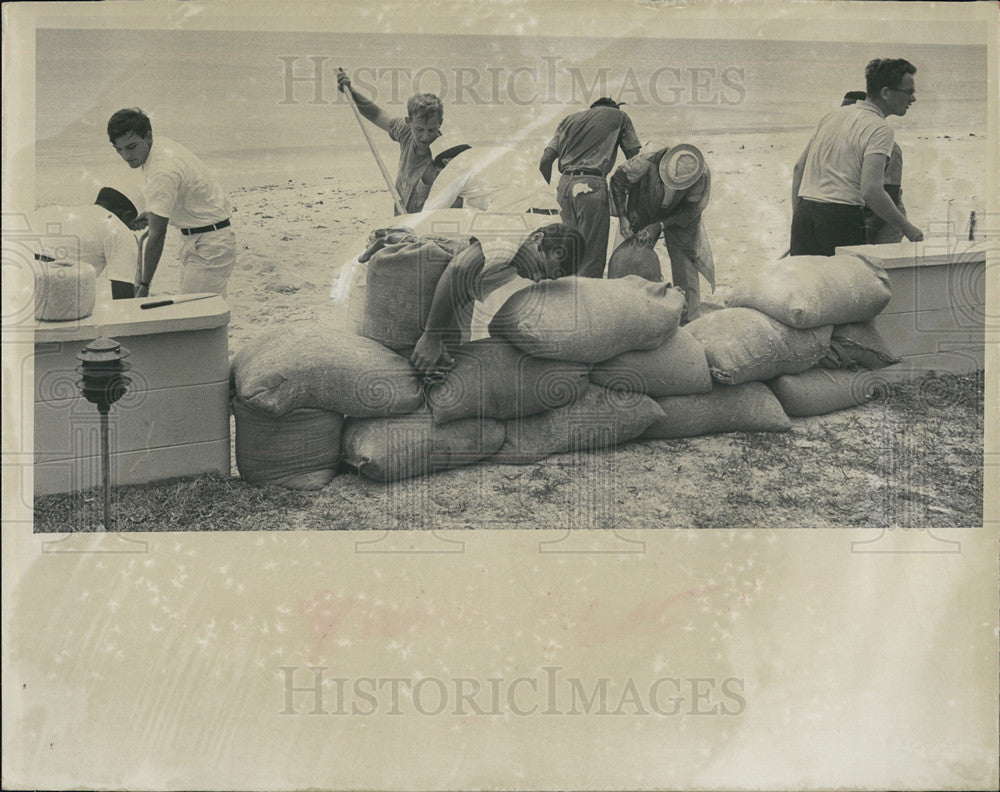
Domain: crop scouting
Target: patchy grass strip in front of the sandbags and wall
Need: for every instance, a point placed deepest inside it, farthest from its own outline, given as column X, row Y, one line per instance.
column 912, row 457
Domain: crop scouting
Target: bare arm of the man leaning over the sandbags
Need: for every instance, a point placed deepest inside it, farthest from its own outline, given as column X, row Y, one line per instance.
column 453, row 294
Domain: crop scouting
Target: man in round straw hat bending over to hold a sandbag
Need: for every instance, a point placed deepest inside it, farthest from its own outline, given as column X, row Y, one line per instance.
column 665, row 193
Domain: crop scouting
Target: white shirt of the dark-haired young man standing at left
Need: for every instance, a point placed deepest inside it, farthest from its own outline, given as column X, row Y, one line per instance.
column 180, row 187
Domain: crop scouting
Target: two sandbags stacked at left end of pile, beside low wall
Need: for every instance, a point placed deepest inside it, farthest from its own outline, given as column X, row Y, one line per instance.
column 292, row 390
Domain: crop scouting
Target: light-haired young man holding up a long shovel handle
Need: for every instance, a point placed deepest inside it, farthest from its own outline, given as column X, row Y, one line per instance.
column 415, row 133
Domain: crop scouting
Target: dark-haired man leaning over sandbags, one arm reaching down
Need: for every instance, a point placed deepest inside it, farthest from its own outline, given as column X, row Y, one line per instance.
column 553, row 251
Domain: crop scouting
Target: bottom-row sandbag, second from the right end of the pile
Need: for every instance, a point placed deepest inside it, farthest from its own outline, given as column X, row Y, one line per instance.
column 750, row 407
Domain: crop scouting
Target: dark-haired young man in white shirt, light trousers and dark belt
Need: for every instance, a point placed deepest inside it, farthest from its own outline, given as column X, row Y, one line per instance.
column 180, row 191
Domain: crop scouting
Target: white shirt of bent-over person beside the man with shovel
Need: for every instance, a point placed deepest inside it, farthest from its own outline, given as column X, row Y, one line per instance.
column 491, row 179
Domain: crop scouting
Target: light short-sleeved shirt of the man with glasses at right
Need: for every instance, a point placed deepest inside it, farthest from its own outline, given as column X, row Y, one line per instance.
column 842, row 140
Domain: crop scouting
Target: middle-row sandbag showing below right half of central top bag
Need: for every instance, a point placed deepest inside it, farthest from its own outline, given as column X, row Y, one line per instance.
column 677, row 367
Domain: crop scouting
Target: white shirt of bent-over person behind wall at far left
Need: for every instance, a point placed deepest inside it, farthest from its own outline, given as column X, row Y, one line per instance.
column 88, row 234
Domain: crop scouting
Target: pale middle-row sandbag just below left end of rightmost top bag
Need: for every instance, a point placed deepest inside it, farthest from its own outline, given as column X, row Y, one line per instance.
column 743, row 345
